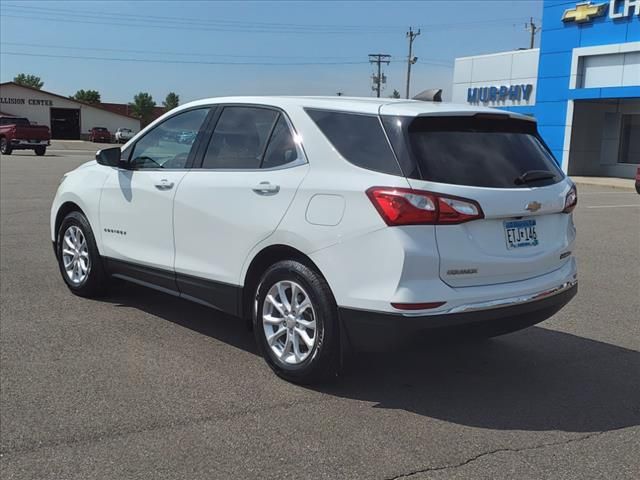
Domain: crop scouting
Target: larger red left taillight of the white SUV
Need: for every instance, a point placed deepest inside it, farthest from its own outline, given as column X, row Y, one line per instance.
column 405, row 206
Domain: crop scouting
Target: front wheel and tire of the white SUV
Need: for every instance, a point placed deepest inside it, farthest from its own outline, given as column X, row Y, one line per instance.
column 78, row 257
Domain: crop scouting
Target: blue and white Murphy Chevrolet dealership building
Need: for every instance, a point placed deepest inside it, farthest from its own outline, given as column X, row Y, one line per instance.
column 582, row 84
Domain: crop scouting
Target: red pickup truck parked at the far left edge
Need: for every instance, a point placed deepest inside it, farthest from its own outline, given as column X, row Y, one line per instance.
column 17, row 133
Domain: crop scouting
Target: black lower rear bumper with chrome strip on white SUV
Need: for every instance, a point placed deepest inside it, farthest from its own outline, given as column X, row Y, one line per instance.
column 378, row 331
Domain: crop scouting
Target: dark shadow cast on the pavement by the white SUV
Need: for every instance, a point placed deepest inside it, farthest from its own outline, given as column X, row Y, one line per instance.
column 537, row 379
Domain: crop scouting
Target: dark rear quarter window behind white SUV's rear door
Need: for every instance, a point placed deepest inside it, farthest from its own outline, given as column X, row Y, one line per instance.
column 359, row 139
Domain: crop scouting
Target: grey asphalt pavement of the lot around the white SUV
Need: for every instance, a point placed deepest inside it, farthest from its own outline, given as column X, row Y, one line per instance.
column 143, row 385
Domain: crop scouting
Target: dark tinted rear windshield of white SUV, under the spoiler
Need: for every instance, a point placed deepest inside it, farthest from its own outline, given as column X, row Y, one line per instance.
column 482, row 151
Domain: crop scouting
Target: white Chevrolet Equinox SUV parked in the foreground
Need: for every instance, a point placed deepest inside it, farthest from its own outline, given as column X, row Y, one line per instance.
column 329, row 222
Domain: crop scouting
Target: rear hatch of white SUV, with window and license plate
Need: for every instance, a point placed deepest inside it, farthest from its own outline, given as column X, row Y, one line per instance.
column 500, row 163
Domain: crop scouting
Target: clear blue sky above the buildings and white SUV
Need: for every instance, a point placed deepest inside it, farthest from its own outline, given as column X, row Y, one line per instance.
column 204, row 49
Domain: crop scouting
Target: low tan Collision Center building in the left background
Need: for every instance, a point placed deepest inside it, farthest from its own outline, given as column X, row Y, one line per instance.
column 66, row 118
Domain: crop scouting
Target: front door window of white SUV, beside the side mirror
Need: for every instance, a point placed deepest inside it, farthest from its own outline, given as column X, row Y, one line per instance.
column 168, row 145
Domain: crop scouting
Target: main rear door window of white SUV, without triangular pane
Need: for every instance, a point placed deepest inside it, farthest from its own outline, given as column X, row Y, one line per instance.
column 240, row 137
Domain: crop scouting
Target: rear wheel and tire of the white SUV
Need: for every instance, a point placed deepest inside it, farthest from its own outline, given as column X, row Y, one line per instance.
column 288, row 352
